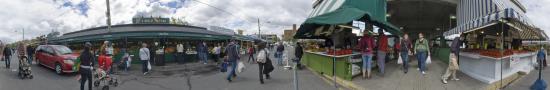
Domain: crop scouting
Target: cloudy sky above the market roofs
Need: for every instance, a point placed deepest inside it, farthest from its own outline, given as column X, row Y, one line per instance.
column 39, row 17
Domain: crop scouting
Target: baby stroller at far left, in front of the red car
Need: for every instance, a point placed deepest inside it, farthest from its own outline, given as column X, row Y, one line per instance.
column 24, row 68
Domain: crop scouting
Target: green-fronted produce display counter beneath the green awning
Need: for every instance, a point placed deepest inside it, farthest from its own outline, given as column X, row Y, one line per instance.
column 322, row 63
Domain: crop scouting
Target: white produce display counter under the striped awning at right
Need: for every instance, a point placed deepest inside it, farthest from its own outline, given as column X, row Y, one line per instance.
column 488, row 69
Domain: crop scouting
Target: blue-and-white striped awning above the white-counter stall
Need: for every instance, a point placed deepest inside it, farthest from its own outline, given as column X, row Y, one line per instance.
column 477, row 14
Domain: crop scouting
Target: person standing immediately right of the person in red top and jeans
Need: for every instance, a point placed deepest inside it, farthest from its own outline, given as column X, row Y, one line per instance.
column 382, row 50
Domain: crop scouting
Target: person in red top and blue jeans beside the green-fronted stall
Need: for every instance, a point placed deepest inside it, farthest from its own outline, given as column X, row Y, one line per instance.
column 366, row 47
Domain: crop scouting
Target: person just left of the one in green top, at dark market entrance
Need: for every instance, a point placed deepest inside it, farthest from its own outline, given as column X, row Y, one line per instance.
column 404, row 48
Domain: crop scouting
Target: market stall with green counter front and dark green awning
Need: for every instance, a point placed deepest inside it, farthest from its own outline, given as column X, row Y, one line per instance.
column 330, row 25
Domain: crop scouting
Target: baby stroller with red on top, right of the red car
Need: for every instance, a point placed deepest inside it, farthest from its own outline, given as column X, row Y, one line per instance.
column 101, row 75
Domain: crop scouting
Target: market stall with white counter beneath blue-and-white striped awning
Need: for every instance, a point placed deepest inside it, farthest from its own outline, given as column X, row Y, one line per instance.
column 492, row 41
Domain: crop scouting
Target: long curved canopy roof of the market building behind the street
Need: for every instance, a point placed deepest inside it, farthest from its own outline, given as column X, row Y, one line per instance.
column 142, row 31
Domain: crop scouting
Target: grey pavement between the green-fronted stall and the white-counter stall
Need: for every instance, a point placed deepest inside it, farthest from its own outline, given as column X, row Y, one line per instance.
column 395, row 79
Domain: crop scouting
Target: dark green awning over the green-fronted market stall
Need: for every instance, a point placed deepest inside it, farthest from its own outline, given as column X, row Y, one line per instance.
column 328, row 13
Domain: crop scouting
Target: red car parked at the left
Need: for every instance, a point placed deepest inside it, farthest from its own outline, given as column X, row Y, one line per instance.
column 57, row 57
